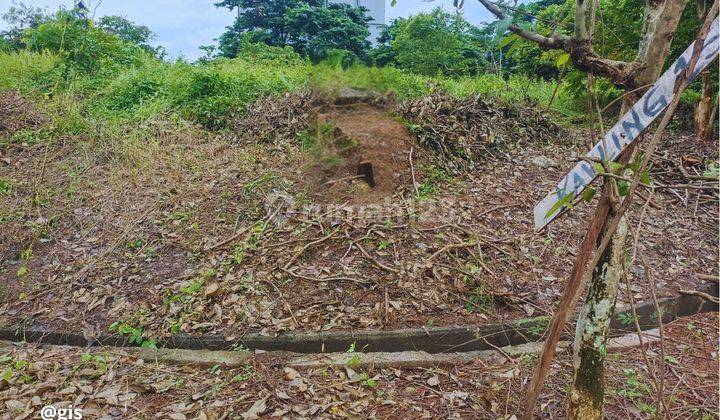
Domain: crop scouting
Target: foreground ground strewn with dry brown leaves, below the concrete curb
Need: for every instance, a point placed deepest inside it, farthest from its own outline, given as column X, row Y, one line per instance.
column 112, row 382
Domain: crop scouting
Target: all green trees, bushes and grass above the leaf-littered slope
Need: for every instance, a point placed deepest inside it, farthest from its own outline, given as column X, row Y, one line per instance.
column 270, row 50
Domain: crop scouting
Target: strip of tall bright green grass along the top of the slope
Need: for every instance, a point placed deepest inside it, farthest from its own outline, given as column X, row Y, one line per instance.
column 116, row 101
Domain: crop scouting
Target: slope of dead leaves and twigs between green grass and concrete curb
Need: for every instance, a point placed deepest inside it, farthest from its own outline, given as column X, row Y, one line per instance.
column 313, row 247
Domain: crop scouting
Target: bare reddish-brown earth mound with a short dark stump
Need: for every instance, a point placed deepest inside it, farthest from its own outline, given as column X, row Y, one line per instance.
column 360, row 155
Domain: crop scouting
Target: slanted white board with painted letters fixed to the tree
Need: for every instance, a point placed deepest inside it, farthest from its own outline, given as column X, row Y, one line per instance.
column 652, row 103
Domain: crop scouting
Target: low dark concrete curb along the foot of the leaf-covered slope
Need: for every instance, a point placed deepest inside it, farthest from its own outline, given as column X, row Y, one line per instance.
column 430, row 340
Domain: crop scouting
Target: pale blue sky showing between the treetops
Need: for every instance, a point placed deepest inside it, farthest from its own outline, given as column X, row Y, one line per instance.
column 182, row 26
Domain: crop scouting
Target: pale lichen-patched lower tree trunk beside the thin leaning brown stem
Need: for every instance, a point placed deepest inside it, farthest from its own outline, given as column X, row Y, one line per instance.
column 586, row 398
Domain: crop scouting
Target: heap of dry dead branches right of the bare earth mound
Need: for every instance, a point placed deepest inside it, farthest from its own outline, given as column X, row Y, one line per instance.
column 465, row 131
